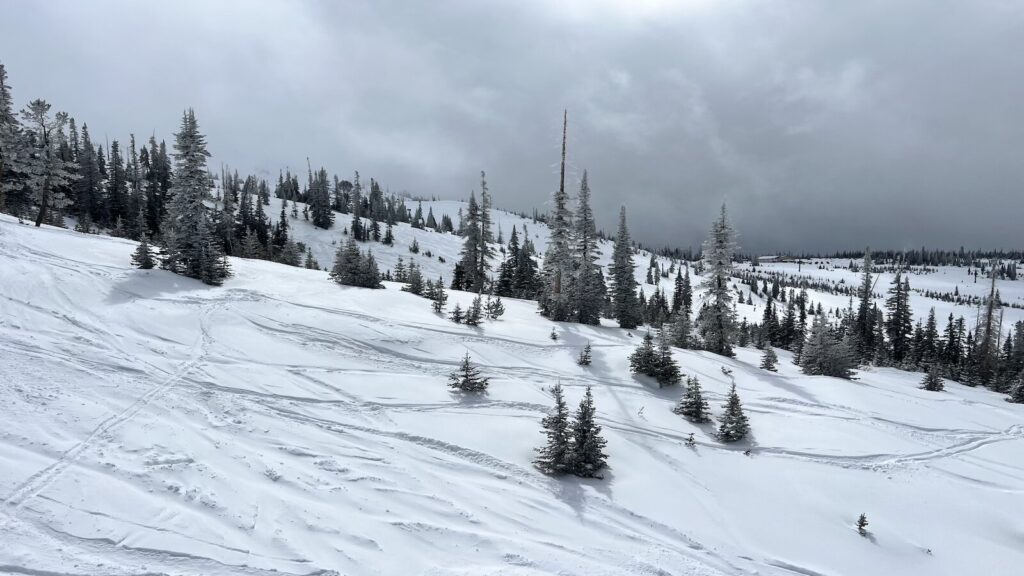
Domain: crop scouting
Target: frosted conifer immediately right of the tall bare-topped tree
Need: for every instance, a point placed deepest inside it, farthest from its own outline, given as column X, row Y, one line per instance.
column 589, row 291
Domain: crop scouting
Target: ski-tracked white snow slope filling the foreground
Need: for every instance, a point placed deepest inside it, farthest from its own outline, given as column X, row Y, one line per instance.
column 281, row 424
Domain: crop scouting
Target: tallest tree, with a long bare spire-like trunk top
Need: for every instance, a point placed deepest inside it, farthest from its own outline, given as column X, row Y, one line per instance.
column 557, row 300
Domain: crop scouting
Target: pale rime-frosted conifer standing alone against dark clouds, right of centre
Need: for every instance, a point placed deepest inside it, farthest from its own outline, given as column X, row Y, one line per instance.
column 717, row 320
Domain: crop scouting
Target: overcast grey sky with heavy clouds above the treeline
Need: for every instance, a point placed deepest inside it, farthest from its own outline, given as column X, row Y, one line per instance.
column 824, row 126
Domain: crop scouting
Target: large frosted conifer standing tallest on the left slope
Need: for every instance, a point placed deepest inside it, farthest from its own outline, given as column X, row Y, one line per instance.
column 190, row 246
